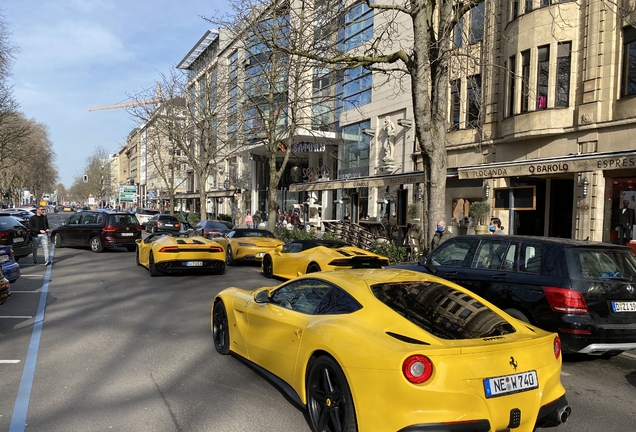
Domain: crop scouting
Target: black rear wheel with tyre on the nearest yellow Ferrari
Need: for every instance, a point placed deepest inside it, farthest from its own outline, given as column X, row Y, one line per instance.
column 329, row 400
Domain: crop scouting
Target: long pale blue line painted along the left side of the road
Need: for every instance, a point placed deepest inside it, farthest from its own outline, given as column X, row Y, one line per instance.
column 21, row 407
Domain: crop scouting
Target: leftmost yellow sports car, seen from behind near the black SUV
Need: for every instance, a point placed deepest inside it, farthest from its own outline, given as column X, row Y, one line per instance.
column 166, row 252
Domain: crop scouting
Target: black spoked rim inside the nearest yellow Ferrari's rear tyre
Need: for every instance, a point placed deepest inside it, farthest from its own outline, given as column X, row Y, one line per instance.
column 326, row 404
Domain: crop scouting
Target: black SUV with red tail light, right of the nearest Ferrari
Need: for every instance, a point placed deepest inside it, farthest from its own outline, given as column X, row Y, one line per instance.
column 583, row 290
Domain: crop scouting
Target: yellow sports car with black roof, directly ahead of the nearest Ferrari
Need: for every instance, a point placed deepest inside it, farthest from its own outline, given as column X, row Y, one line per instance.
column 298, row 257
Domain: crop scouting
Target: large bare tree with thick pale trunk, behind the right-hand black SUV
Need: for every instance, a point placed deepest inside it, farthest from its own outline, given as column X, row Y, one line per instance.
column 413, row 38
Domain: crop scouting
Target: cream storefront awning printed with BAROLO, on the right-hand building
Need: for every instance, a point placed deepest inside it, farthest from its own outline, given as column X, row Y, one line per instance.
column 546, row 166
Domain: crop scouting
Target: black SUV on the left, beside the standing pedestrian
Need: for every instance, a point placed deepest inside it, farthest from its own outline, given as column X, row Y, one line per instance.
column 98, row 230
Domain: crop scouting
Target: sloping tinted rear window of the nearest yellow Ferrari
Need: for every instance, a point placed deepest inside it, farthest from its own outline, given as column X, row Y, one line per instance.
column 441, row 310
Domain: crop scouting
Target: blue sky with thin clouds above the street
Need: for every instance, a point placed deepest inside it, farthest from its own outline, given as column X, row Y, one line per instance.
column 75, row 54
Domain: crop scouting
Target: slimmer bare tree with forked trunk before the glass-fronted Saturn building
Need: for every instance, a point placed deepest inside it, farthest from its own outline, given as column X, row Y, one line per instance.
column 277, row 86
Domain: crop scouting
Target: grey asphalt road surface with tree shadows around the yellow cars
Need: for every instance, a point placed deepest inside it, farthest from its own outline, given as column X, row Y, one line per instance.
column 120, row 351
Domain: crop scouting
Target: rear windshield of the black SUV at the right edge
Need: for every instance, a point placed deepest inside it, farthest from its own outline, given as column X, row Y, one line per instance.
column 599, row 264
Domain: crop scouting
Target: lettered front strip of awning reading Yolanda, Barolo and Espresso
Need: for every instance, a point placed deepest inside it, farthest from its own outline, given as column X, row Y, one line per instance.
column 564, row 166
